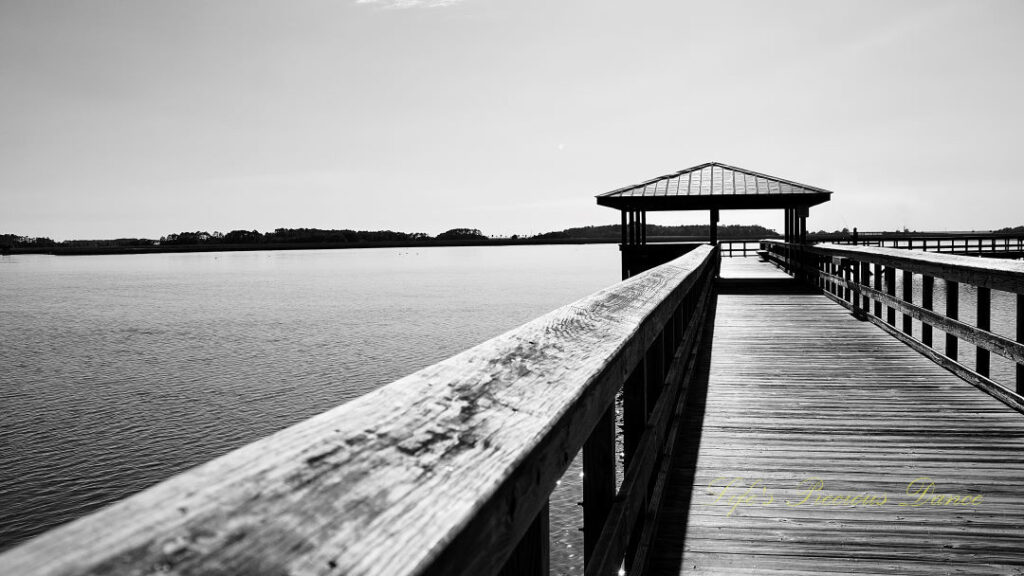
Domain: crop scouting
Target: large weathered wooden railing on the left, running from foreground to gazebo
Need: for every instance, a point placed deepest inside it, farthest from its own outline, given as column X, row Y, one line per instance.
column 448, row 471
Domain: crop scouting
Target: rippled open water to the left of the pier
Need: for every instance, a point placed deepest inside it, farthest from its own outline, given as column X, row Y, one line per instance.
column 120, row 372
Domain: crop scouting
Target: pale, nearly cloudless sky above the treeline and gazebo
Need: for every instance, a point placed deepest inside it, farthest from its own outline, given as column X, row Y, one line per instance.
column 144, row 118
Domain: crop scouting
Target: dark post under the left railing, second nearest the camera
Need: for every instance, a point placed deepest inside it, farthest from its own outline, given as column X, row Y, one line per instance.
column 599, row 480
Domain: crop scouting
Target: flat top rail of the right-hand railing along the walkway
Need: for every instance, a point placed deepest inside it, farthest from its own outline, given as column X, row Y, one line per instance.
column 989, row 273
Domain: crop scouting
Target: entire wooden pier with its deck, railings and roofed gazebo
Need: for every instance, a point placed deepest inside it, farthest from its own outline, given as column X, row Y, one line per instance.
column 788, row 413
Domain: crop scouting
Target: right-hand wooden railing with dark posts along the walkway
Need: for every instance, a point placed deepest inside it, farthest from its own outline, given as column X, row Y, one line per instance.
column 864, row 280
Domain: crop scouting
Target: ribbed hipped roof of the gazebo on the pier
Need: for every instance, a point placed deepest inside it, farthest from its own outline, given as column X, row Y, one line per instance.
column 714, row 186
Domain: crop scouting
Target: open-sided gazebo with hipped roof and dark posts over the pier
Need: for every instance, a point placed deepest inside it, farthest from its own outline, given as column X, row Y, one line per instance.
column 713, row 187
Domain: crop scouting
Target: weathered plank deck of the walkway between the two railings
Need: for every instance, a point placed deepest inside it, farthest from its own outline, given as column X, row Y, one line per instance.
column 801, row 393
